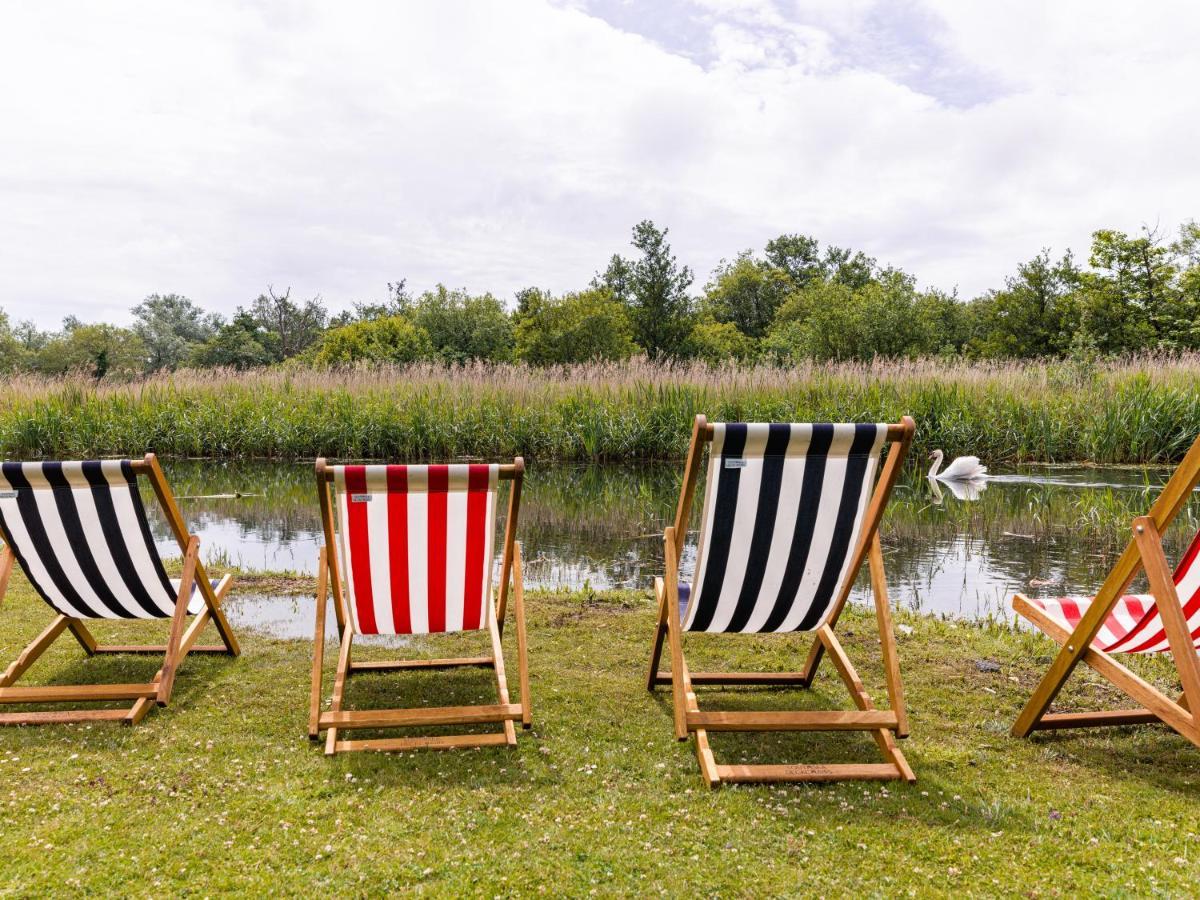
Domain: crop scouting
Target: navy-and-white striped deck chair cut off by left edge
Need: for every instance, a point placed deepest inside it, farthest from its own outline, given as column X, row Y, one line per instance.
column 81, row 536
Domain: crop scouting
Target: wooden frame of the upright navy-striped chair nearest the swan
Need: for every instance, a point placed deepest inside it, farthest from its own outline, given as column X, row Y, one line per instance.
column 885, row 725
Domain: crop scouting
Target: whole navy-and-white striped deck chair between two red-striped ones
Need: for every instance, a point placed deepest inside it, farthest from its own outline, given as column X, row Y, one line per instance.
column 791, row 513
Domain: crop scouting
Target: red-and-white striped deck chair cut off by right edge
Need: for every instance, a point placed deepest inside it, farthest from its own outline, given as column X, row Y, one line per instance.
column 1095, row 629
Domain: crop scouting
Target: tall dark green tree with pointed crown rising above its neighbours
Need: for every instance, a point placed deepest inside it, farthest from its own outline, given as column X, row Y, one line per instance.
column 655, row 290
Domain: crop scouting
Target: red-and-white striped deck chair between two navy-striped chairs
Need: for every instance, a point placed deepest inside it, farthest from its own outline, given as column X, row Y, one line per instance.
column 412, row 555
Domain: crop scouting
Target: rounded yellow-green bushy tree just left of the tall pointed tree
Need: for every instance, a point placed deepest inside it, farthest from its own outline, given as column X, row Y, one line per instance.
column 578, row 328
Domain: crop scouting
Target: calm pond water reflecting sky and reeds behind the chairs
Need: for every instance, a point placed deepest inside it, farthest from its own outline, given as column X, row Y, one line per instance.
column 1046, row 531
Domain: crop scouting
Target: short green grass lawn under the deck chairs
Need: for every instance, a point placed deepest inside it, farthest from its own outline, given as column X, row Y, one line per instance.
column 223, row 791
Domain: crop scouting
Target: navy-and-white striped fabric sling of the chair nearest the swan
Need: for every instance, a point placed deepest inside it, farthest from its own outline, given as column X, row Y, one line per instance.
column 784, row 509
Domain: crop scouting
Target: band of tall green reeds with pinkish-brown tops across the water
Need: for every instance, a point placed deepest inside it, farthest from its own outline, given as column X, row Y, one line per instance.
column 1135, row 411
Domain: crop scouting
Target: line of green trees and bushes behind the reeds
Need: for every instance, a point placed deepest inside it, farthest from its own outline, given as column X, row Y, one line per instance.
column 796, row 301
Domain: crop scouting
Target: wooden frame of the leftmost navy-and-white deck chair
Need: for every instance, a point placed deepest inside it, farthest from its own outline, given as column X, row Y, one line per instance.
column 181, row 641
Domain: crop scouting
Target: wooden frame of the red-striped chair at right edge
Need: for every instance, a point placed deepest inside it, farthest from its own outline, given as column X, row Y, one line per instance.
column 1144, row 551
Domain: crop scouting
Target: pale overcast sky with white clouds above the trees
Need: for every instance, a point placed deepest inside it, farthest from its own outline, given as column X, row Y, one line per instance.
column 213, row 148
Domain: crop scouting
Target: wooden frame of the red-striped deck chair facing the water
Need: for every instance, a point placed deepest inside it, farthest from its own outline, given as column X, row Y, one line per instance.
column 506, row 713
